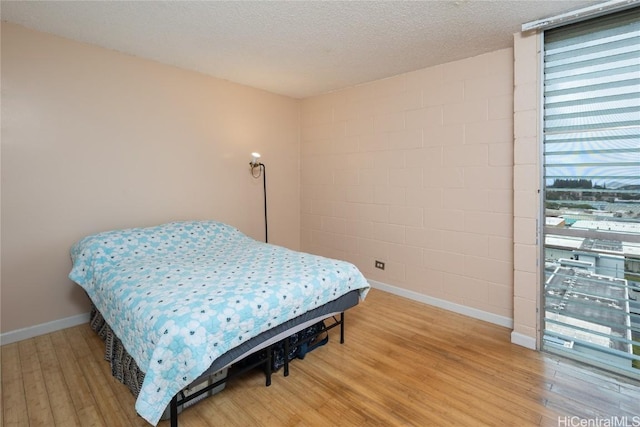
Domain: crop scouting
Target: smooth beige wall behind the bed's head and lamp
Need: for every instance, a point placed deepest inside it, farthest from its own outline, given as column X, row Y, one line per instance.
column 93, row 140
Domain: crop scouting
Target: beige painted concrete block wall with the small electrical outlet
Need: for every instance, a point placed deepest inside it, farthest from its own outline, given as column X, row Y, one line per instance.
column 417, row 171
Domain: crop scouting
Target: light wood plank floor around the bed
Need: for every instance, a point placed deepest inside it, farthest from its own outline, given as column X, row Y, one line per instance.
column 403, row 363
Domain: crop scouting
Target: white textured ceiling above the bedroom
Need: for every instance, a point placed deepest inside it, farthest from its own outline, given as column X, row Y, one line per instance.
column 294, row 48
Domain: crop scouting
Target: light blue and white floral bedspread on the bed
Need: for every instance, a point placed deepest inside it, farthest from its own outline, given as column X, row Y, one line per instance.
column 181, row 294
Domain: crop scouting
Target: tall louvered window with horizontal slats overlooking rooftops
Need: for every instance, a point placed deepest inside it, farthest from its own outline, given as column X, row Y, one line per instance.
column 591, row 135
